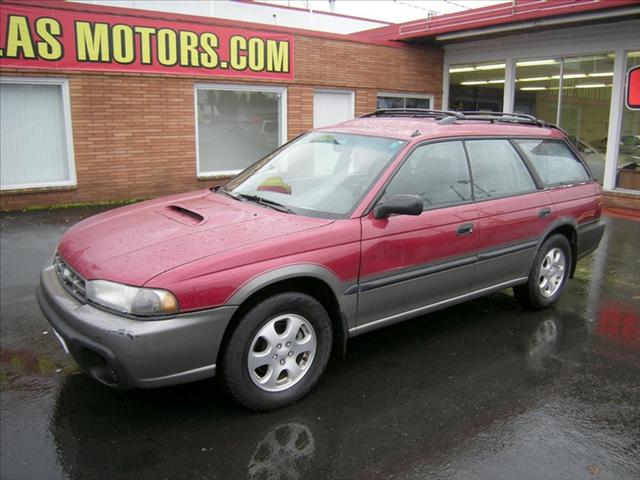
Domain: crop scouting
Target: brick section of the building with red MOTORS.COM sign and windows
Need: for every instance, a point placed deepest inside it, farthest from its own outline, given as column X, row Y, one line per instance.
column 109, row 130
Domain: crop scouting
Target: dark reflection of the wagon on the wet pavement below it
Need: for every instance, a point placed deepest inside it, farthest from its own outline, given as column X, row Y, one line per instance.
column 367, row 435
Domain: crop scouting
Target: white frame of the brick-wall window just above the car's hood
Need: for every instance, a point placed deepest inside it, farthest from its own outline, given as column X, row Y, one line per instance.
column 282, row 120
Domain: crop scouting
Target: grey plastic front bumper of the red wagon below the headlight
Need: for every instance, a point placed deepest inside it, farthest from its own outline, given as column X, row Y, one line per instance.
column 125, row 353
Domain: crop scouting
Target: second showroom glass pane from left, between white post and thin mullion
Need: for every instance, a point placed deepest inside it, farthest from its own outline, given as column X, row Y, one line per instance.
column 536, row 90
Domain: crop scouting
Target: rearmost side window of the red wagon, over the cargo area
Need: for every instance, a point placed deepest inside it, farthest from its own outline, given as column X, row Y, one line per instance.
column 553, row 161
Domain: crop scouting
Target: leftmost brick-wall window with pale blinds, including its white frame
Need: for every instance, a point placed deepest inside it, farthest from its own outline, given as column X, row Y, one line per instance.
column 35, row 134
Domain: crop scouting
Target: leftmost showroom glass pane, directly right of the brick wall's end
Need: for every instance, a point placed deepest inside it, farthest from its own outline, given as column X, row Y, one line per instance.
column 477, row 87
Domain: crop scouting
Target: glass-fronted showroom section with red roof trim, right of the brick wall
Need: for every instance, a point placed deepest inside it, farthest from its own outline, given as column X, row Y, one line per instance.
column 565, row 62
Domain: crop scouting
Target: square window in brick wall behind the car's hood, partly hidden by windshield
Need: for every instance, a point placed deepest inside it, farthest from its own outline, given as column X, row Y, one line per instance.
column 237, row 126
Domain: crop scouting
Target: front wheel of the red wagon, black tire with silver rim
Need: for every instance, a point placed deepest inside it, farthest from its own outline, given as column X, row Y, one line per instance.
column 277, row 352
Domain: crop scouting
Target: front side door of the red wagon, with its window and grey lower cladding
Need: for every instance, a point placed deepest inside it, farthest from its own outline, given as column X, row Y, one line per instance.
column 411, row 262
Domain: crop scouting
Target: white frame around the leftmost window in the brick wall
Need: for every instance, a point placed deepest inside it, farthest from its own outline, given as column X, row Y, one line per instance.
column 63, row 83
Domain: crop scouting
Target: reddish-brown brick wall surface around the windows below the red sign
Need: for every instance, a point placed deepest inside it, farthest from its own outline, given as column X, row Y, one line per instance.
column 134, row 135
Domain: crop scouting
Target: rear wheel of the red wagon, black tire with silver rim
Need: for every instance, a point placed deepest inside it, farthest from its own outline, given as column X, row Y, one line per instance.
column 548, row 276
